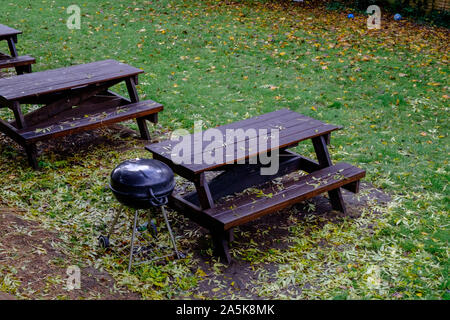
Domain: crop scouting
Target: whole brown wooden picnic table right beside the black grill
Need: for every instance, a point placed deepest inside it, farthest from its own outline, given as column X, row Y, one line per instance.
column 210, row 206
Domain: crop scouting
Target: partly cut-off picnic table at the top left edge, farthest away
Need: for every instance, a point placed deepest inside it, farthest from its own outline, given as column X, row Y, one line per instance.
column 13, row 60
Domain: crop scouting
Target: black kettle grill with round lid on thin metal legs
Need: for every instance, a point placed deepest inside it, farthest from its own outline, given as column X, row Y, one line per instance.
column 141, row 184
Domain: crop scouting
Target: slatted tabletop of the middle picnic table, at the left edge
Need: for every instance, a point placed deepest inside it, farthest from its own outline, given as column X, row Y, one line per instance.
column 50, row 81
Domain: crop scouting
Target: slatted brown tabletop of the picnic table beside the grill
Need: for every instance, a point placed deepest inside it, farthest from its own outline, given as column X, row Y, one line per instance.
column 293, row 127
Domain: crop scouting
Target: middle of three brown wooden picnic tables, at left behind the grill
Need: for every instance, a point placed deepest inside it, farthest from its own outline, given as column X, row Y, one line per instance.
column 73, row 99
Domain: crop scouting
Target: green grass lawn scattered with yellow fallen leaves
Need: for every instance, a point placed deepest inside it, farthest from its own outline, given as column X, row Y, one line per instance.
column 221, row 62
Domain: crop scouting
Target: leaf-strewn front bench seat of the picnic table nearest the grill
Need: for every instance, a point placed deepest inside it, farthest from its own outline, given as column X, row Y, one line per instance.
column 244, row 208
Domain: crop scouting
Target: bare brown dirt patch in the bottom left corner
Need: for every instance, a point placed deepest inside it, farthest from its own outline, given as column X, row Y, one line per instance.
column 33, row 267
